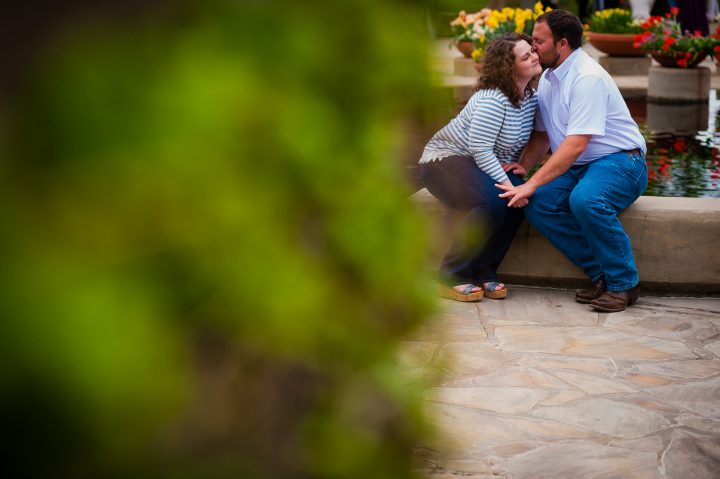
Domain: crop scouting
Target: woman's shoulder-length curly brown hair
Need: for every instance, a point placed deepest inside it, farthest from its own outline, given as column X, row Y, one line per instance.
column 499, row 68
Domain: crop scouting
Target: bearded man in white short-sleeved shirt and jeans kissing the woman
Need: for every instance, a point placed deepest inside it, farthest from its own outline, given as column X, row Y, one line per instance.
column 596, row 170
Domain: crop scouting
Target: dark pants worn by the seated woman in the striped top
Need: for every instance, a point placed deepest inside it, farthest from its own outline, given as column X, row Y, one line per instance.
column 488, row 228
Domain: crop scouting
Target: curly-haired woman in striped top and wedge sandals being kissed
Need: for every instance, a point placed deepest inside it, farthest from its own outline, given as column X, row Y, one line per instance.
column 479, row 148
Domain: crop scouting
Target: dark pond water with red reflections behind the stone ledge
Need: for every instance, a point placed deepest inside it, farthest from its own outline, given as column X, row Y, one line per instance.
column 681, row 162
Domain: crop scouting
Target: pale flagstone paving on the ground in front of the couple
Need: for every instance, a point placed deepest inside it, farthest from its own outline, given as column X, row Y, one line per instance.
column 539, row 386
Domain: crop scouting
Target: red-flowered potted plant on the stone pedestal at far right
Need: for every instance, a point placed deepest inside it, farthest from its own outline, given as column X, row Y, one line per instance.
column 669, row 46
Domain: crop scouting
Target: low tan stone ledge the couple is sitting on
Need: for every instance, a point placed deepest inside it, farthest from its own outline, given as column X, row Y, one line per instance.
column 675, row 242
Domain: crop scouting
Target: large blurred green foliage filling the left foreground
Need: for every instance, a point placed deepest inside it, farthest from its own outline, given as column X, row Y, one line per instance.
column 209, row 257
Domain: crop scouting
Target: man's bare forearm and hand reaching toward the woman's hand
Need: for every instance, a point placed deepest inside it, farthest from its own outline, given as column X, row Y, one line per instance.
column 566, row 154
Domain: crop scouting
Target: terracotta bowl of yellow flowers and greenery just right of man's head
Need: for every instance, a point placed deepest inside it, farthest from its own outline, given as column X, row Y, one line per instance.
column 612, row 31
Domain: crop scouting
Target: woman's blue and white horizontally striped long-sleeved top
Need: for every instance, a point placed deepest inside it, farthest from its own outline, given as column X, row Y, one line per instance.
column 489, row 128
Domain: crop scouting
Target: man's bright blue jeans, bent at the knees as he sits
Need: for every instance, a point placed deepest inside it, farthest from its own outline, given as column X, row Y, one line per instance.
column 578, row 212
